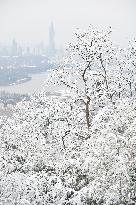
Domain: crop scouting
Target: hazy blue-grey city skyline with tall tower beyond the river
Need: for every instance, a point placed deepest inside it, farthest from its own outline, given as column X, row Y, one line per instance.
column 48, row 49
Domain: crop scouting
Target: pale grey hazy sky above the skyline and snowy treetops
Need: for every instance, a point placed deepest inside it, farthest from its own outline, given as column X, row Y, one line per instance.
column 28, row 20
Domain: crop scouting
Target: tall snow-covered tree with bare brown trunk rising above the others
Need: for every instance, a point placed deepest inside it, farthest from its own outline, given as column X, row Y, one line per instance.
column 85, row 72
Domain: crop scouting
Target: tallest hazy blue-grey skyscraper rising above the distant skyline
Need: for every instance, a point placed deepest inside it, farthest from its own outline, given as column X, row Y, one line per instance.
column 51, row 49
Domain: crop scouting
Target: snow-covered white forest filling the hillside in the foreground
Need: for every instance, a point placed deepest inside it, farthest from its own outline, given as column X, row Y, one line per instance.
column 79, row 148
